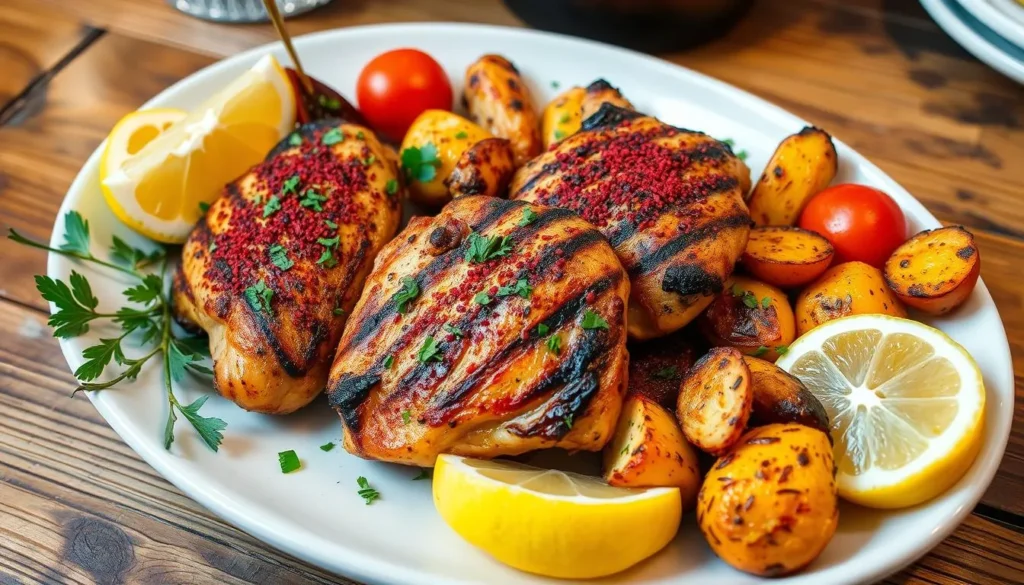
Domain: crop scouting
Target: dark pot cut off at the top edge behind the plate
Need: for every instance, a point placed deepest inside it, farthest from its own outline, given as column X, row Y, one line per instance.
column 651, row 26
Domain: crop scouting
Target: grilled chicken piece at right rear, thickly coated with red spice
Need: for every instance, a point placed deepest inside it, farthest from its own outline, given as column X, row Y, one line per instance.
column 670, row 202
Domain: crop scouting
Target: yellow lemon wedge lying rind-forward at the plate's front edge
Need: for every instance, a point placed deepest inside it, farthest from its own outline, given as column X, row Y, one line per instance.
column 552, row 523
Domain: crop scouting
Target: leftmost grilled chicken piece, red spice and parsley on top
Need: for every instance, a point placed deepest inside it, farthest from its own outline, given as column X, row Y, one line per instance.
column 272, row 270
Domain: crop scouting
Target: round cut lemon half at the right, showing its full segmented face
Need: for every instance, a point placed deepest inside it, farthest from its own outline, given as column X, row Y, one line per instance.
column 907, row 406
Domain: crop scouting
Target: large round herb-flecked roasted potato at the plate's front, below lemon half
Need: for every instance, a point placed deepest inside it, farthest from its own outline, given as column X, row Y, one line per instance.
column 770, row 507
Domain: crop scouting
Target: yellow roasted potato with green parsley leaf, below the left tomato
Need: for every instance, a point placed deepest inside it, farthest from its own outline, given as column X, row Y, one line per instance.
column 433, row 147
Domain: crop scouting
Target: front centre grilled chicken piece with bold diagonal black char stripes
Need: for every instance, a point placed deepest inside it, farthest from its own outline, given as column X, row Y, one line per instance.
column 495, row 328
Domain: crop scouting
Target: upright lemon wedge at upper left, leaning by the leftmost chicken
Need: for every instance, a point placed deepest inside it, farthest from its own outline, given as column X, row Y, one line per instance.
column 158, row 191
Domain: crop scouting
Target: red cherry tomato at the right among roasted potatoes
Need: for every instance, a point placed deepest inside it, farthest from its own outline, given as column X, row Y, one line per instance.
column 862, row 223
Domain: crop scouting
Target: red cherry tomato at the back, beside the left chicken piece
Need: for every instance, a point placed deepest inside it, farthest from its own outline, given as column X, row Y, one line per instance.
column 398, row 87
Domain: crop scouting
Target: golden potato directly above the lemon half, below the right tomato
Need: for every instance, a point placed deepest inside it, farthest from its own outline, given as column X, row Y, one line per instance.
column 850, row 288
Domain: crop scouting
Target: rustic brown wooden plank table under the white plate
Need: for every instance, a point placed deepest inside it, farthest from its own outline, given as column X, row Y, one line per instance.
column 77, row 506
